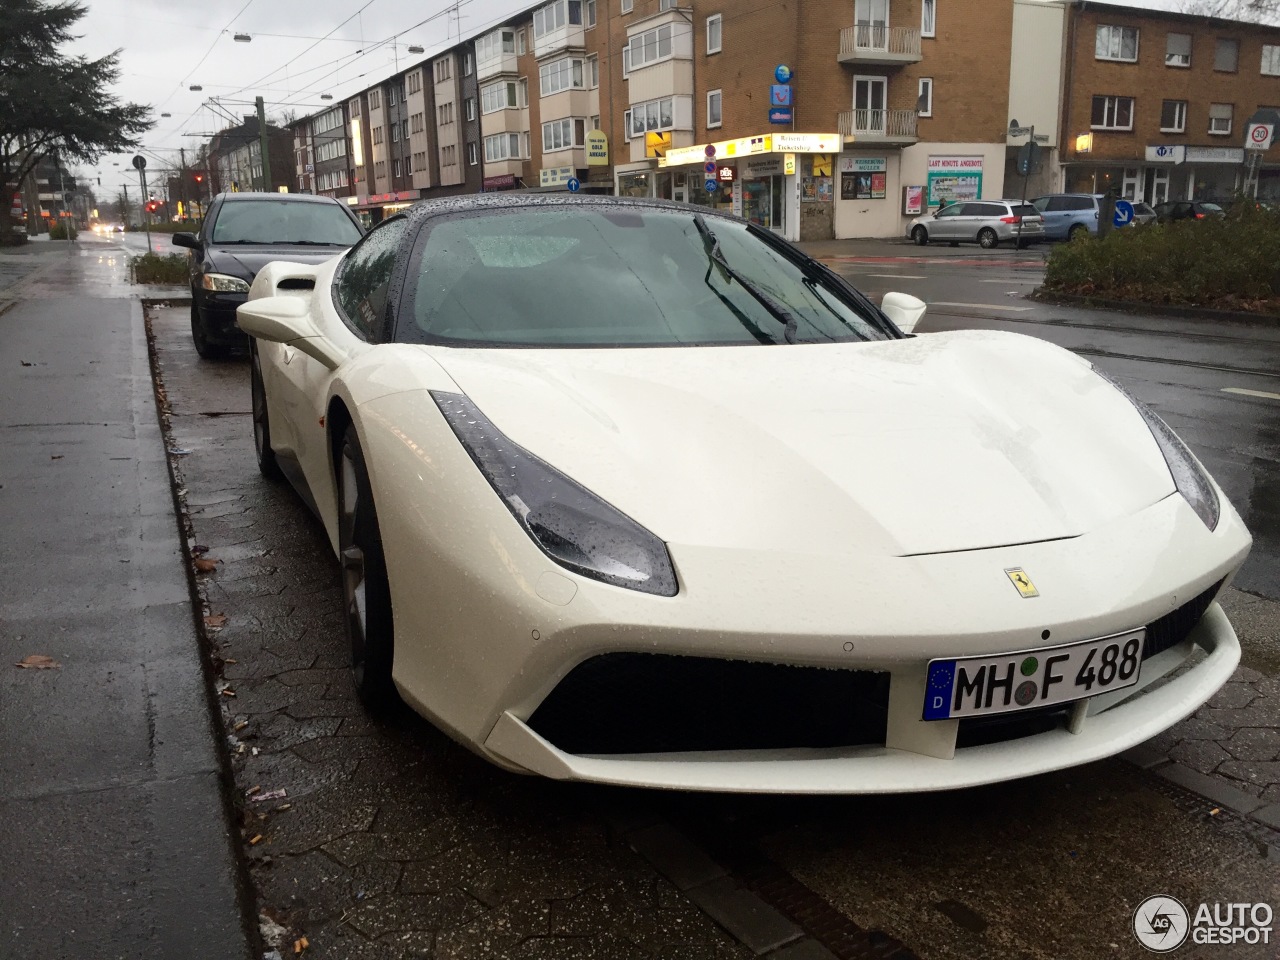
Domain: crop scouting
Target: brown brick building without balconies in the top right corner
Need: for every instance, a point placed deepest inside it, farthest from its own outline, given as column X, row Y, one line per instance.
column 1158, row 104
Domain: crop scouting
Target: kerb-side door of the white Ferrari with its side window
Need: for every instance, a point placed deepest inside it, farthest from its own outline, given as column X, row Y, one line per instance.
column 360, row 299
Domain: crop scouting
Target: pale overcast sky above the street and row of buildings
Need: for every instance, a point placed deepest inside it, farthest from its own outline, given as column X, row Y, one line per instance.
column 167, row 47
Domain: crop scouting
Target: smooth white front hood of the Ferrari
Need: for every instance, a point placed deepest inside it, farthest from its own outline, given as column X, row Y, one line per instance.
column 939, row 444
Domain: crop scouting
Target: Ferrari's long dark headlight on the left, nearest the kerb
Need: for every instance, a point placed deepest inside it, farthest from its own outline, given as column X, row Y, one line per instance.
column 572, row 525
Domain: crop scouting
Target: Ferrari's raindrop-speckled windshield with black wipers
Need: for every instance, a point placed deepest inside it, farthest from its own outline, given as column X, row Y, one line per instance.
column 620, row 277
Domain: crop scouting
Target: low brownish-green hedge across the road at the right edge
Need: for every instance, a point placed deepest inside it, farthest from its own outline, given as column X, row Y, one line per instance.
column 1229, row 263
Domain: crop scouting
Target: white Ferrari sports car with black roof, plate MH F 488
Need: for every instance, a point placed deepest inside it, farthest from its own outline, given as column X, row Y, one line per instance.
column 639, row 493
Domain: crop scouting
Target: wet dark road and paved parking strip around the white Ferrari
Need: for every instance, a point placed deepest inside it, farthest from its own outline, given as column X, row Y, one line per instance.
column 397, row 843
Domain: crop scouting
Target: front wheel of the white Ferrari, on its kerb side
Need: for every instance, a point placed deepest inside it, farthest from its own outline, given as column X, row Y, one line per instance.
column 365, row 588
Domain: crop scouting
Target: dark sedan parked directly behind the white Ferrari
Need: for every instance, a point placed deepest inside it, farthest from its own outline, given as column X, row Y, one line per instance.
column 243, row 234
